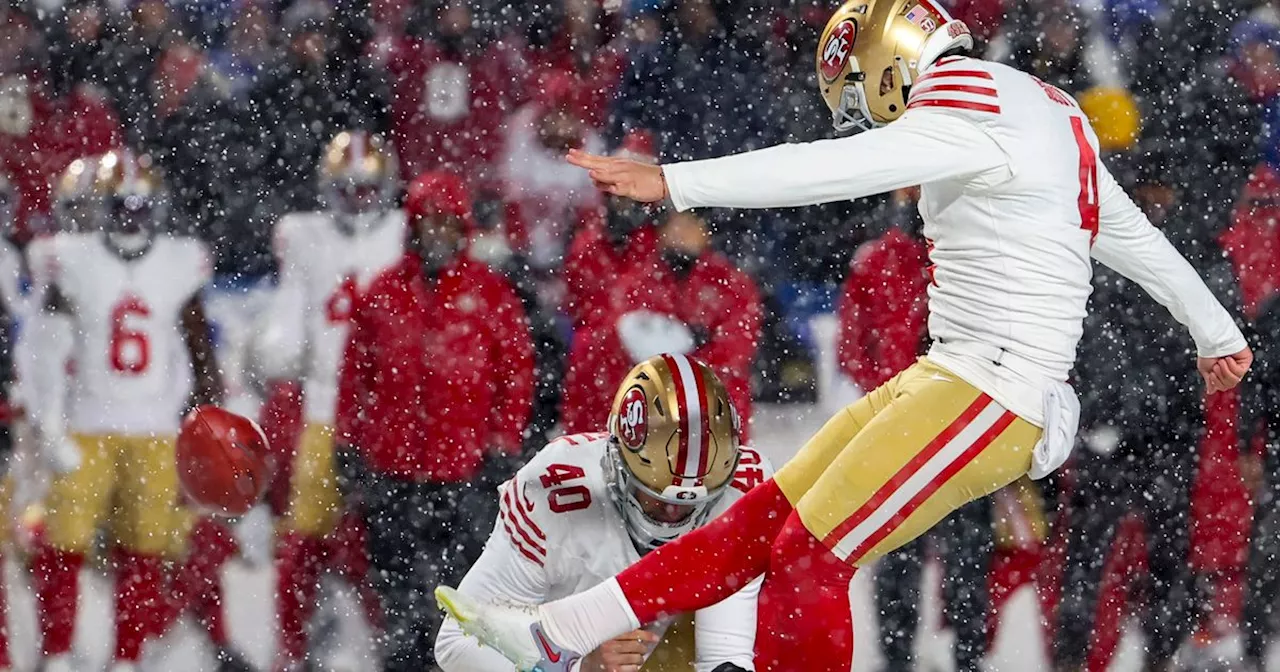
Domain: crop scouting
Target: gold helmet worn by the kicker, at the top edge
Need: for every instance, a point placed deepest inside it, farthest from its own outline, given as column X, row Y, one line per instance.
column 872, row 52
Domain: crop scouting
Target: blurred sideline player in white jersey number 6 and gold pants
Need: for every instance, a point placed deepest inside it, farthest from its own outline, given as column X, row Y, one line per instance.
column 124, row 307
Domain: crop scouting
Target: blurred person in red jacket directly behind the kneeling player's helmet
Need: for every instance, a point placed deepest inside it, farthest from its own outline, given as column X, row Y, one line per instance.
column 693, row 301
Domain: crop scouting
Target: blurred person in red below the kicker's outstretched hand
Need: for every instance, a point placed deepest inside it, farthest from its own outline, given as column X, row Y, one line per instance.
column 607, row 249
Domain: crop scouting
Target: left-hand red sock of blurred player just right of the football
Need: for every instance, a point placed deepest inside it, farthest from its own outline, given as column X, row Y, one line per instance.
column 298, row 575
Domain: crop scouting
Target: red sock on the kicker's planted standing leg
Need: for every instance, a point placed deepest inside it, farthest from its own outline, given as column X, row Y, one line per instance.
column 804, row 607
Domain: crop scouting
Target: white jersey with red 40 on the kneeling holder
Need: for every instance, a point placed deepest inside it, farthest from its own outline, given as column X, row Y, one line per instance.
column 560, row 533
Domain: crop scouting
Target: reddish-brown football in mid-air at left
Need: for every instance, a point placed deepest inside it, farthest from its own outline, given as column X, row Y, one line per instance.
column 225, row 463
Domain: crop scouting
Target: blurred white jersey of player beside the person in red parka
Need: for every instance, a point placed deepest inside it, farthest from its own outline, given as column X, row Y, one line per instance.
column 323, row 269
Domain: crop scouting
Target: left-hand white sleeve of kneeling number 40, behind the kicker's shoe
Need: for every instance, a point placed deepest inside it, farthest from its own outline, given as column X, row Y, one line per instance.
column 501, row 574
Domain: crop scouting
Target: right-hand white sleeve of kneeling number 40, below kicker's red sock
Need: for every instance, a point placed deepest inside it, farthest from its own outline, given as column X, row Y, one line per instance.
column 725, row 633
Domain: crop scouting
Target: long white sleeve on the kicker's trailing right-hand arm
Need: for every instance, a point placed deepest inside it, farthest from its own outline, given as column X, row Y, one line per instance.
column 1128, row 244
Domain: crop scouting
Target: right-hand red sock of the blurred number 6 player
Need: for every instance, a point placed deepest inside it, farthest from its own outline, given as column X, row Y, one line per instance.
column 139, row 605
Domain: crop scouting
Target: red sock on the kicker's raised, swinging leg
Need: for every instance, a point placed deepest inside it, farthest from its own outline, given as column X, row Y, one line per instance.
column 710, row 564
